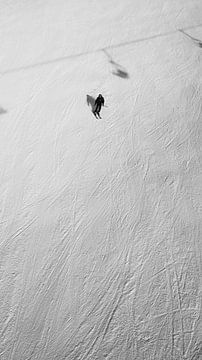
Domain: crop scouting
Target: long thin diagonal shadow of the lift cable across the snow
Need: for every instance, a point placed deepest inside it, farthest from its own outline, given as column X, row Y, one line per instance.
column 64, row 58
